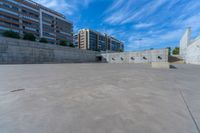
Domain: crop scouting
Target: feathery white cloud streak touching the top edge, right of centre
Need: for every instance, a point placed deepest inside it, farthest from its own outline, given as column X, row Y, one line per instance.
column 128, row 13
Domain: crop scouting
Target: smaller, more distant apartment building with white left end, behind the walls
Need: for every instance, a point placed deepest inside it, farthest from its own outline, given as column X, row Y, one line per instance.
column 96, row 41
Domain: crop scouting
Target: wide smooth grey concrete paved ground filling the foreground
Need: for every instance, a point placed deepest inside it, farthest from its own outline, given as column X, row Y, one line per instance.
column 99, row 98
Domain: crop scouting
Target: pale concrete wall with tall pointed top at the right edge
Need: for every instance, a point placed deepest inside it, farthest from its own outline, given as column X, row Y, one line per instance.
column 190, row 49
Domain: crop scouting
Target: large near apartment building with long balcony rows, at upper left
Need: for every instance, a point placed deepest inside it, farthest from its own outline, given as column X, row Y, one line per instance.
column 26, row 16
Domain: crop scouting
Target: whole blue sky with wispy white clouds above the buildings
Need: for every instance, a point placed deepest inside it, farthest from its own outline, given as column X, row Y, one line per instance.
column 140, row 24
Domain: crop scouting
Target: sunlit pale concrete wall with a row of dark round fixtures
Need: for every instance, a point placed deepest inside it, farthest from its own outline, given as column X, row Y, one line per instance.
column 137, row 57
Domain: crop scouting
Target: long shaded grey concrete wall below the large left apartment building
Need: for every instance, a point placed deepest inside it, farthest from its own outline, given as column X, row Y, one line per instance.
column 15, row 51
